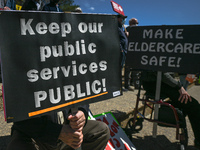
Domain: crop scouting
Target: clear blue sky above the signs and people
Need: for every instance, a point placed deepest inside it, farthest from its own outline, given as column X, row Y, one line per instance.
column 149, row 12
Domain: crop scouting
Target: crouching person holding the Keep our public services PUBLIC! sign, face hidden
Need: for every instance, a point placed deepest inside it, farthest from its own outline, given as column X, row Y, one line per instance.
column 57, row 131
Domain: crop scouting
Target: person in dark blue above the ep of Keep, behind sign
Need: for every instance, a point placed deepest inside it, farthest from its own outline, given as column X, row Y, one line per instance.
column 52, row 6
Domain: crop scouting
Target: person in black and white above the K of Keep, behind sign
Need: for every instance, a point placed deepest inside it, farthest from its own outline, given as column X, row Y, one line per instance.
column 33, row 5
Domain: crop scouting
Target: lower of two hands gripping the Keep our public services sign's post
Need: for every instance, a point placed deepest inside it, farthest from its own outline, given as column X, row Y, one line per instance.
column 71, row 137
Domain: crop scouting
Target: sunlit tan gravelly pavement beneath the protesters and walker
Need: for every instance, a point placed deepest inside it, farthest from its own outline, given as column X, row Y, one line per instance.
column 123, row 107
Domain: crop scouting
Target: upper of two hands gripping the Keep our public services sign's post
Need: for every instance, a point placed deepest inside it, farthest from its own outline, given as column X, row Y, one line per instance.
column 77, row 121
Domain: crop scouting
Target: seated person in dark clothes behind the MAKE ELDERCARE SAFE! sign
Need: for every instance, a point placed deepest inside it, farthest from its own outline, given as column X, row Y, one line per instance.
column 179, row 98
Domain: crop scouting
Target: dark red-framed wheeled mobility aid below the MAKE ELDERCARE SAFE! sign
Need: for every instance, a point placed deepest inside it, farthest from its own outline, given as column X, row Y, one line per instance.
column 168, row 116
